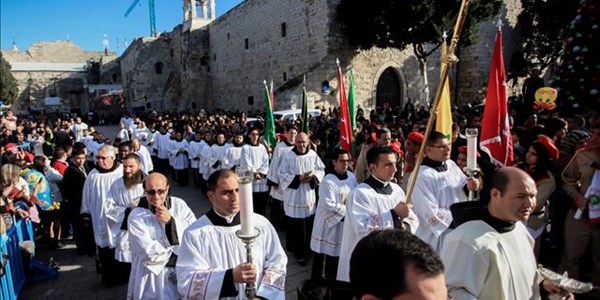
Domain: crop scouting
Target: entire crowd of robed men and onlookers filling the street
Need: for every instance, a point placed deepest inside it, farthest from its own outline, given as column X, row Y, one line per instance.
column 346, row 211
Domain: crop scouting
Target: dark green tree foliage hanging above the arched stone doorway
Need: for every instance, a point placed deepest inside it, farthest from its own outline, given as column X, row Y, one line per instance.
column 402, row 23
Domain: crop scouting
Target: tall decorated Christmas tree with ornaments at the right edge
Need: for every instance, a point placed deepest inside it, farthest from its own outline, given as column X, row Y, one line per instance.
column 577, row 75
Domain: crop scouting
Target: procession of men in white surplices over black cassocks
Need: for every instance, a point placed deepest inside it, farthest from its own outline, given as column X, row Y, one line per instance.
column 175, row 255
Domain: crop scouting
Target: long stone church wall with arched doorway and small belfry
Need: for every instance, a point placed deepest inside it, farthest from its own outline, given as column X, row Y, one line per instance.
column 221, row 63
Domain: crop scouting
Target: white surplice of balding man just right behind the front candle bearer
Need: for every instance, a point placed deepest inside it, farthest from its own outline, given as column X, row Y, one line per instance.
column 300, row 202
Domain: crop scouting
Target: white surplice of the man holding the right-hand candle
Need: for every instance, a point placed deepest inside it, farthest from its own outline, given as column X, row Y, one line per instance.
column 433, row 194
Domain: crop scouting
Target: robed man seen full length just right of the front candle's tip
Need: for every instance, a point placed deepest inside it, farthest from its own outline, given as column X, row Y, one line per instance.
column 255, row 157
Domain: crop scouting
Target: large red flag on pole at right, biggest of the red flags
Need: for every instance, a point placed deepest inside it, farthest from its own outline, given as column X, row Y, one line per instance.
column 496, row 139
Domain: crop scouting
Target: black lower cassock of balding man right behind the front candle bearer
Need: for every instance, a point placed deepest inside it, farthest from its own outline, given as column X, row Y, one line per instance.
column 297, row 235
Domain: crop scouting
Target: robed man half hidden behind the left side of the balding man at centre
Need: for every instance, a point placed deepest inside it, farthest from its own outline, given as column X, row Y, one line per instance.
column 276, row 193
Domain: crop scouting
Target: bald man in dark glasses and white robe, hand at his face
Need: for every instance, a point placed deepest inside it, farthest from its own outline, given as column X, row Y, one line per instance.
column 155, row 228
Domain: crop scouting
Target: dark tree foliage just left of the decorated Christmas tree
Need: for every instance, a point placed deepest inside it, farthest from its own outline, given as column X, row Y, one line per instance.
column 543, row 26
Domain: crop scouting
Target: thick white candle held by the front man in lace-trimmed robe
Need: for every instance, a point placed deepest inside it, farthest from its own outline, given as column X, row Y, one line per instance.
column 245, row 178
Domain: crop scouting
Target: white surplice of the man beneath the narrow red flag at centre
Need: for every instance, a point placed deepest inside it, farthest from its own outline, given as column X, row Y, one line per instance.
column 326, row 237
